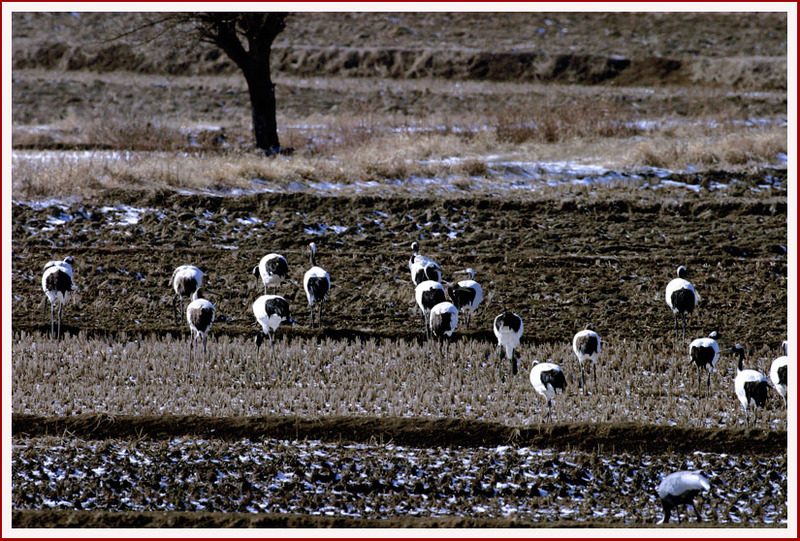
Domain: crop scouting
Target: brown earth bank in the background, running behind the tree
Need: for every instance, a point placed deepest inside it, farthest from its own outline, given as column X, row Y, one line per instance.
column 764, row 73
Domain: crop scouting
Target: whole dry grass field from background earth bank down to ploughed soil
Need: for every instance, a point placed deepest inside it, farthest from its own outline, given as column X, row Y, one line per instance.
column 345, row 130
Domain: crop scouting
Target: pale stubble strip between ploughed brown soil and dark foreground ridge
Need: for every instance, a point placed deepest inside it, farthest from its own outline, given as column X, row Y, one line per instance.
column 636, row 383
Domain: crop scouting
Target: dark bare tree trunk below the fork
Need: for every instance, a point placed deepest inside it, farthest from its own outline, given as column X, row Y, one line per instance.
column 262, row 101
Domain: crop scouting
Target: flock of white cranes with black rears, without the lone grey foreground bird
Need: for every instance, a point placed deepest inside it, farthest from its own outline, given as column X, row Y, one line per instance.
column 441, row 317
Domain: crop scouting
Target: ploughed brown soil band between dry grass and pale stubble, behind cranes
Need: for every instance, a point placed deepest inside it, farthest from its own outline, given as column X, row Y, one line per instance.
column 559, row 264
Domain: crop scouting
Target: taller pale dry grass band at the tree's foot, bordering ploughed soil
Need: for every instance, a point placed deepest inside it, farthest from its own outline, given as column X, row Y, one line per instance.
column 359, row 153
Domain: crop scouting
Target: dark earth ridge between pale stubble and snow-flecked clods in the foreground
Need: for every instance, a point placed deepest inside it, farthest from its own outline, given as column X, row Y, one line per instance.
column 416, row 432
